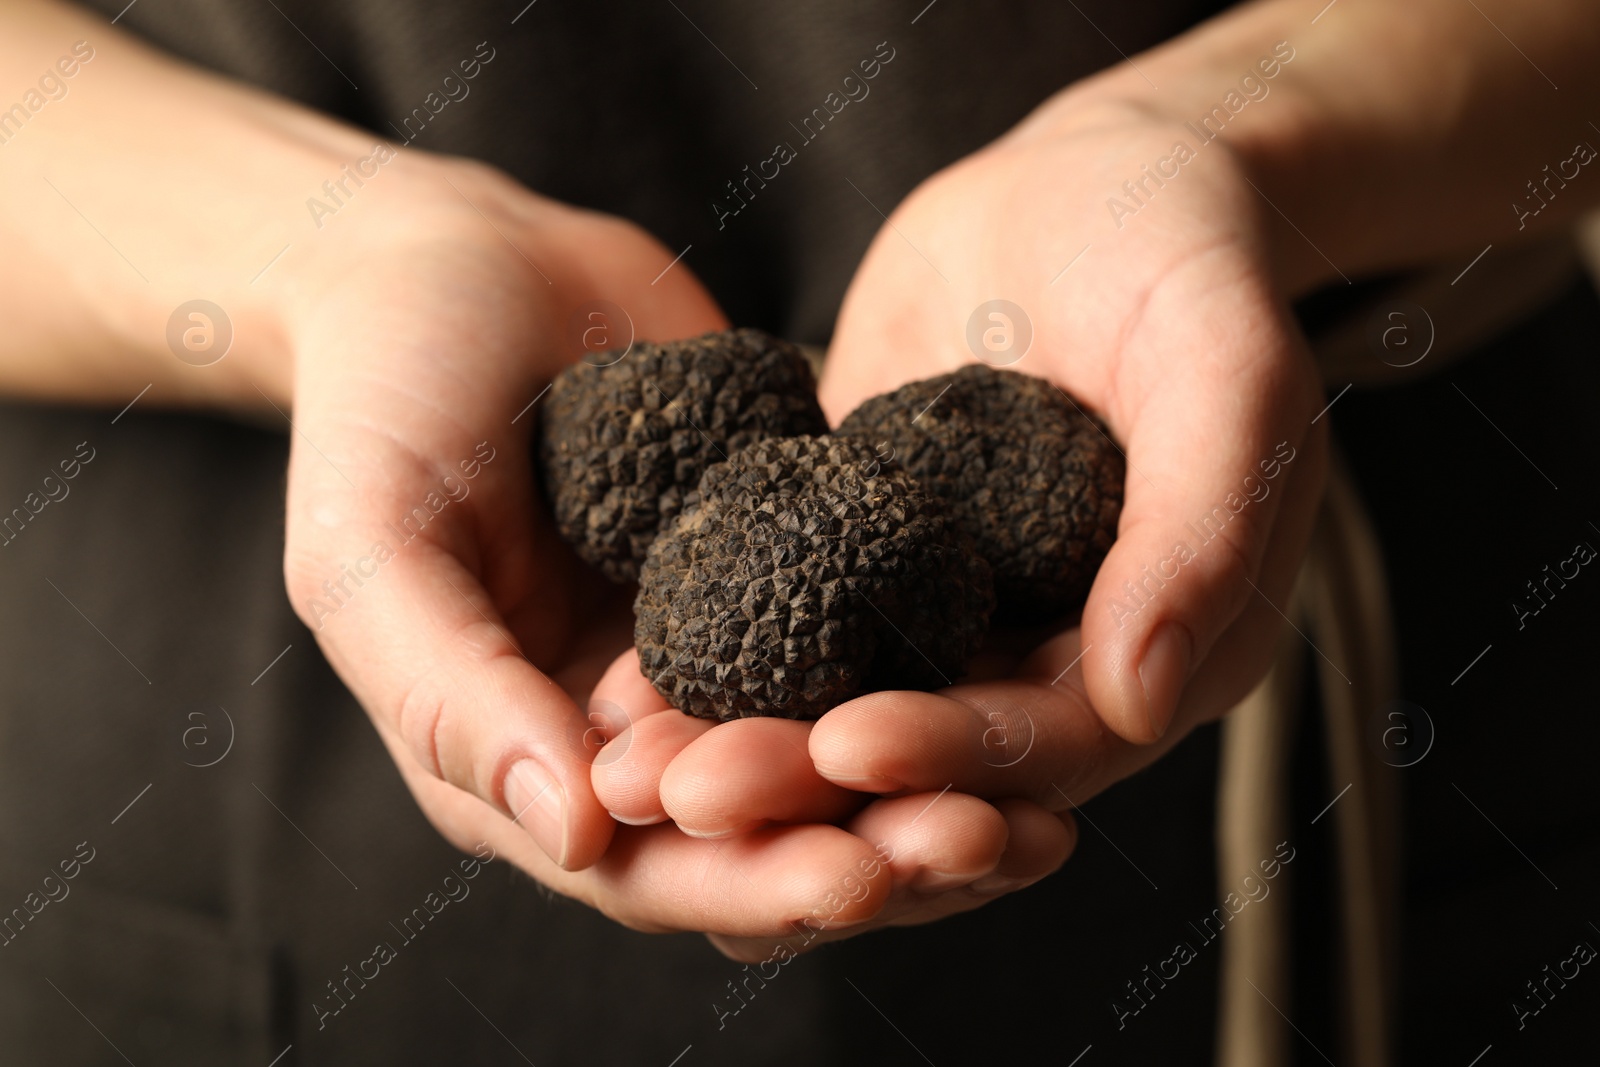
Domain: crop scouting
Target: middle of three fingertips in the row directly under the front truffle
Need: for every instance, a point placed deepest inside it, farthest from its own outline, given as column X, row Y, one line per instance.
column 746, row 773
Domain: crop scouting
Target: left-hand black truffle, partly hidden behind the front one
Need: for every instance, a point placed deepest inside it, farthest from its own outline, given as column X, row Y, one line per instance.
column 622, row 444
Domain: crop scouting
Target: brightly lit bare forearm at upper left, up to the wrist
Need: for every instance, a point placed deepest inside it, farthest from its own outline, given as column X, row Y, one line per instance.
column 132, row 186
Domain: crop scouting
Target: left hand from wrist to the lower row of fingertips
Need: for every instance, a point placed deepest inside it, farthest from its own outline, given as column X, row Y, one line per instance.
column 422, row 556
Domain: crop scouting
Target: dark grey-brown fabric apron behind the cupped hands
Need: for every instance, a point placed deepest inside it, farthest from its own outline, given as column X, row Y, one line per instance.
column 250, row 844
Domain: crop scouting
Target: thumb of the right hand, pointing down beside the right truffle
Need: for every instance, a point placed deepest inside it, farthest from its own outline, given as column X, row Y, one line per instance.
column 1210, row 438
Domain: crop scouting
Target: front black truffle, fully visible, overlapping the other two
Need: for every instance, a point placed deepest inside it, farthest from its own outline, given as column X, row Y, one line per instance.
column 801, row 575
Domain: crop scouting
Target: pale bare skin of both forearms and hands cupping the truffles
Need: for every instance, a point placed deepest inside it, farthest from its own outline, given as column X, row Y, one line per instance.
column 428, row 313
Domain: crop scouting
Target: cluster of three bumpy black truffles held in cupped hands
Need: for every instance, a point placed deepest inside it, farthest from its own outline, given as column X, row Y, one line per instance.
column 783, row 570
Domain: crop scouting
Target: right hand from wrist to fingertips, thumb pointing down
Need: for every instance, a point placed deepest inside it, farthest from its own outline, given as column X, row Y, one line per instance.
column 1164, row 321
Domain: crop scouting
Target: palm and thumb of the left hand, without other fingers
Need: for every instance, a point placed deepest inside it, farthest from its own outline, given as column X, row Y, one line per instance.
column 426, row 324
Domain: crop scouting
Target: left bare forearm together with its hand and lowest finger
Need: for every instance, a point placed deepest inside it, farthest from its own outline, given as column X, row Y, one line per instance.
column 404, row 342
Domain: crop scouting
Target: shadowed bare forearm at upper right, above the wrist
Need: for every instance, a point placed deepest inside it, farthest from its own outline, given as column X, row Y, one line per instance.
column 1398, row 132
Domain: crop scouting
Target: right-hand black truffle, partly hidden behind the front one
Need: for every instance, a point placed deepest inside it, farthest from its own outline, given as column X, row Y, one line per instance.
column 1028, row 473
